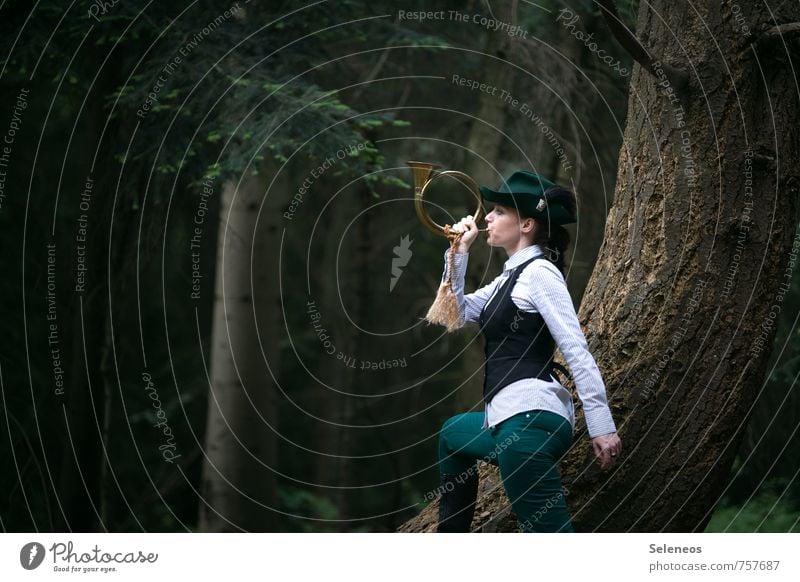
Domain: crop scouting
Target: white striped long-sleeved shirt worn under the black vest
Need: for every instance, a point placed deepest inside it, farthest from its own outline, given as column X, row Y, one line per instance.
column 540, row 288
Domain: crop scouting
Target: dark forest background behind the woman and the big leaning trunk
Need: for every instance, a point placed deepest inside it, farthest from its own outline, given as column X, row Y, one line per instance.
column 262, row 95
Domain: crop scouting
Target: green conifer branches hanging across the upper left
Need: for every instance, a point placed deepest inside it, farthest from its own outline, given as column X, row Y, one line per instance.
column 216, row 103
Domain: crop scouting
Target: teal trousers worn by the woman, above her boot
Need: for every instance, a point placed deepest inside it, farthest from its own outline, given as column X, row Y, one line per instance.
column 527, row 448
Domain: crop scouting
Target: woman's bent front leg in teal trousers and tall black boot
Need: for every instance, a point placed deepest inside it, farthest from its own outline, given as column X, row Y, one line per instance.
column 462, row 442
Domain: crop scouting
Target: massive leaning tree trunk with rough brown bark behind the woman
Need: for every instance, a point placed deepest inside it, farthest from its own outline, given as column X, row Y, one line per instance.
column 680, row 306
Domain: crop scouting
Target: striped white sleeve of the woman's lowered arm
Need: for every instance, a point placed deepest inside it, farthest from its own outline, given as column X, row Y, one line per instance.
column 550, row 297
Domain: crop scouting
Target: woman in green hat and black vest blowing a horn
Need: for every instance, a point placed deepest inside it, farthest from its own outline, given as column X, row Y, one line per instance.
column 529, row 418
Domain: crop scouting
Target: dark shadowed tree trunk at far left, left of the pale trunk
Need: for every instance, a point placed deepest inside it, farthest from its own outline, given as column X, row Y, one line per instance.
column 83, row 487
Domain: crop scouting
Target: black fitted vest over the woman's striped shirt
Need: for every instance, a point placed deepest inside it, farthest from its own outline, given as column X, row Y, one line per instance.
column 518, row 343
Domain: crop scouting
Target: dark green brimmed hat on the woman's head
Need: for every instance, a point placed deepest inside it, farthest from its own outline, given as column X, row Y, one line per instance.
column 524, row 191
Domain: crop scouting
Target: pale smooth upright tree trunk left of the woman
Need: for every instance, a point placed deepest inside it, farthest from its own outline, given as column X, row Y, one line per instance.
column 238, row 481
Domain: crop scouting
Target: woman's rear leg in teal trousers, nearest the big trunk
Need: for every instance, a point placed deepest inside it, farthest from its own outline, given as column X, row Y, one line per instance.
column 530, row 445
